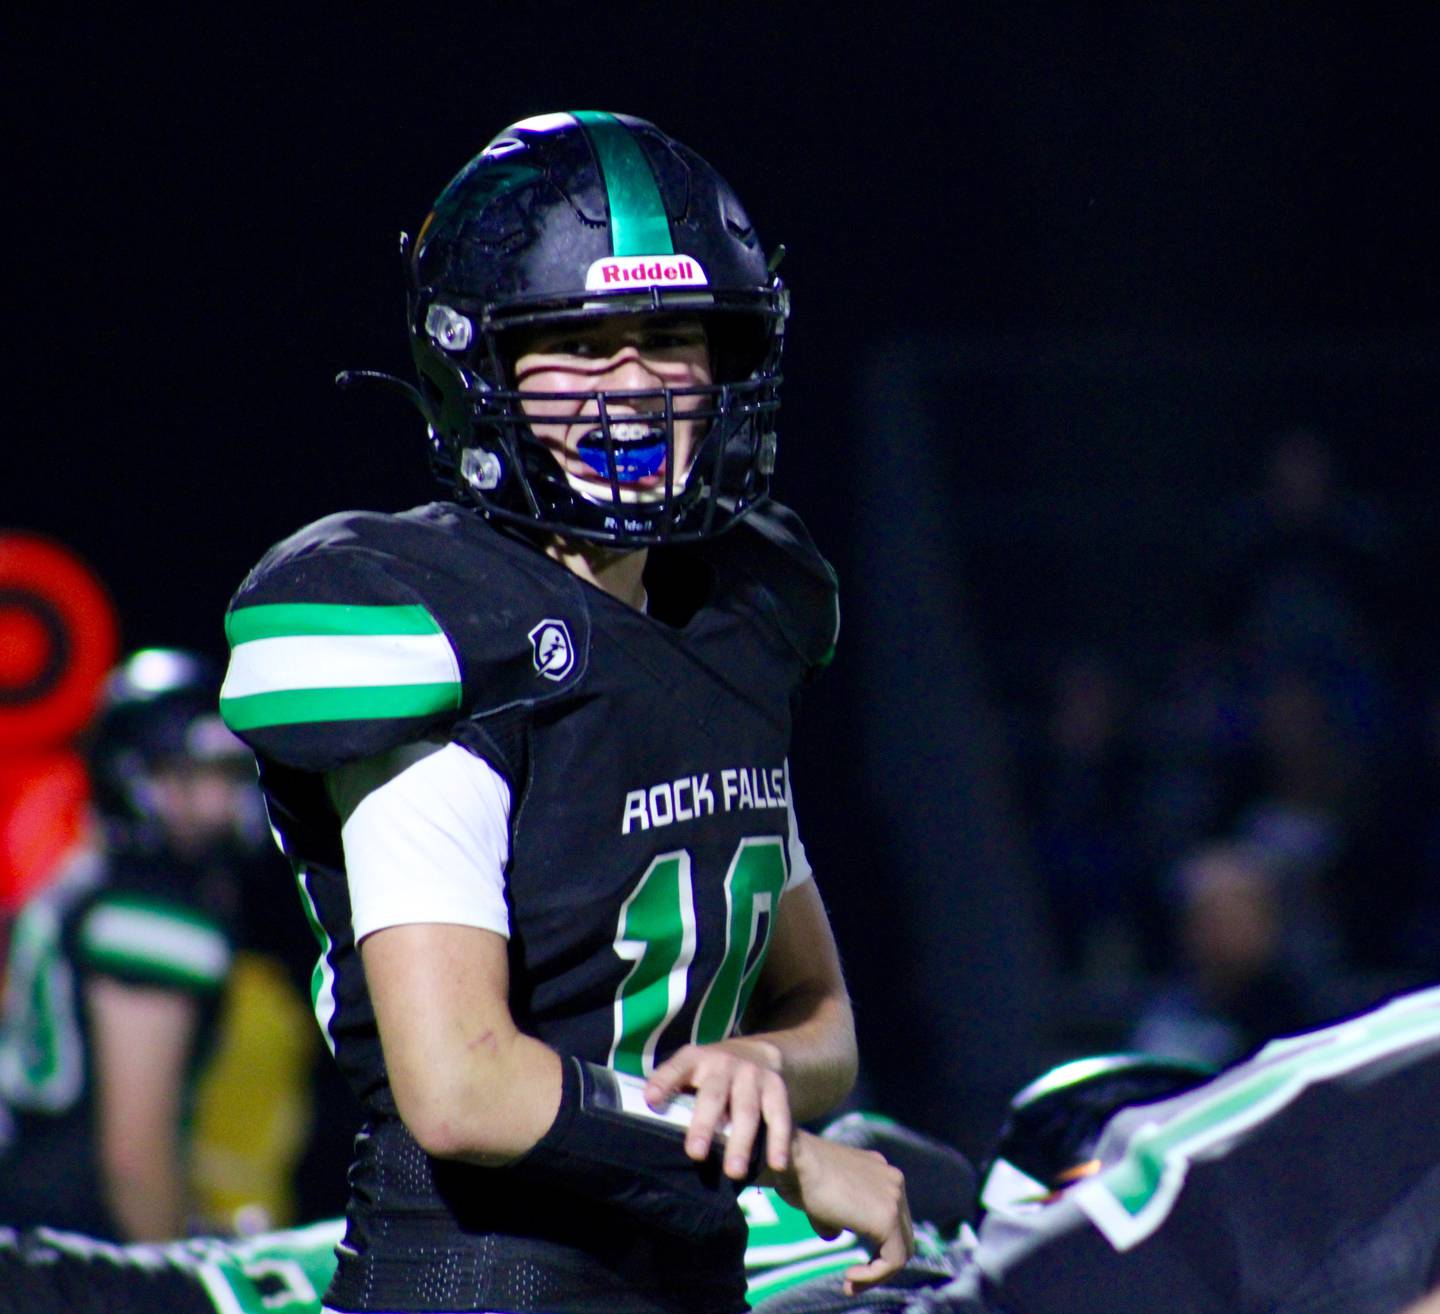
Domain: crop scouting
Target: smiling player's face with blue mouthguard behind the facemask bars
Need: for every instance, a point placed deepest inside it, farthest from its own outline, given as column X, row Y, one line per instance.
column 631, row 359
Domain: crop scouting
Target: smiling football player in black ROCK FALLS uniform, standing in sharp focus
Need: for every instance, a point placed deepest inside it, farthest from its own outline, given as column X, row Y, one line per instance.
column 528, row 753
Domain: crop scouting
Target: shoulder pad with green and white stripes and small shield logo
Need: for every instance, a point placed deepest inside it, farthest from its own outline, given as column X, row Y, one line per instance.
column 366, row 632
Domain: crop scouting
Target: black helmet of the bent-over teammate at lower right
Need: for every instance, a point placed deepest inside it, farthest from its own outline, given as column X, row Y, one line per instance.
column 1053, row 1126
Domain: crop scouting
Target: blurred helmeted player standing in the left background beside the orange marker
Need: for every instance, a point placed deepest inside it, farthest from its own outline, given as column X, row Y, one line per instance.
column 117, row 966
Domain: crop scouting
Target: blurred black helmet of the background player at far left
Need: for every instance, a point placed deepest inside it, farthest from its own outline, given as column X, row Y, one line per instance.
column 159, row 710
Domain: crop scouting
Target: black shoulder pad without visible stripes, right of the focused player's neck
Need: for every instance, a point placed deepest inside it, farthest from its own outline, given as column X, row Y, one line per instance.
column 797, row 586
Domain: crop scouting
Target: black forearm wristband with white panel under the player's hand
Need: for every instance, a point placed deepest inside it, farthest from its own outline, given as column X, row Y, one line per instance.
column 631, row 1161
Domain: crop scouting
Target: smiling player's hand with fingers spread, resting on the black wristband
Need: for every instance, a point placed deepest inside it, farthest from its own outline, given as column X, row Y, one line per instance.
column 739, row 1090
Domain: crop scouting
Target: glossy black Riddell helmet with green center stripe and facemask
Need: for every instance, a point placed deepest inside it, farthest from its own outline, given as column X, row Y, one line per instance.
column 572, row 217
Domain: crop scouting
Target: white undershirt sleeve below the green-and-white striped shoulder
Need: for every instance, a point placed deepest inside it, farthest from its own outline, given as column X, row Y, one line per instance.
column 431, row 845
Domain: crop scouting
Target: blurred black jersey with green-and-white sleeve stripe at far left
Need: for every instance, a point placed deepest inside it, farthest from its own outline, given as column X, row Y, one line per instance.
column 142, row 917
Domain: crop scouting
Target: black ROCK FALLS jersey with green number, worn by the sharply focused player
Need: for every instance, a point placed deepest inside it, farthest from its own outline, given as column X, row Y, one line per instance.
column 646, row 759
